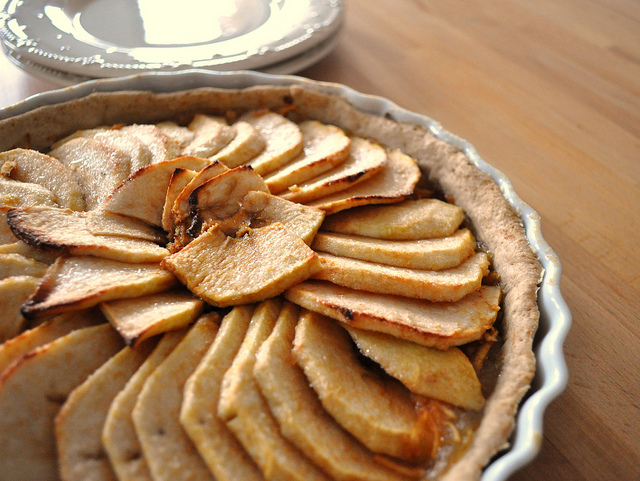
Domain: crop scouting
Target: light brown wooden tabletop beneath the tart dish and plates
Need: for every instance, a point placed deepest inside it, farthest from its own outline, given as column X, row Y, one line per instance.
column 549, row 93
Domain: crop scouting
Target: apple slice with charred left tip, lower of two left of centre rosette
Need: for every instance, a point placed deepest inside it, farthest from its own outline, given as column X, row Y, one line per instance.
column 73, row 283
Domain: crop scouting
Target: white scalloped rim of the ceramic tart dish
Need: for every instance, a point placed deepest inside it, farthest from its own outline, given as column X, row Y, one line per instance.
column 555, row 318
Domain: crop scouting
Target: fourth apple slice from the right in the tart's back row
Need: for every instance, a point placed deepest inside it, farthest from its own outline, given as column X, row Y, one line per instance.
column 283, row 140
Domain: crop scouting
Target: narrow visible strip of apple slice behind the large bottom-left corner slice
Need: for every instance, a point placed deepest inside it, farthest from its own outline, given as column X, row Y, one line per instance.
column 16, row 347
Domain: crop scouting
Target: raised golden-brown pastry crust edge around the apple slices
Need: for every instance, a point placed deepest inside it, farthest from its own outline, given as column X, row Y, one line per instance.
column 496, row 224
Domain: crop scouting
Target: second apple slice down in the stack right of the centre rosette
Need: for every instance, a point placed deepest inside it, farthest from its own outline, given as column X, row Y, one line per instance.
column 427, row 254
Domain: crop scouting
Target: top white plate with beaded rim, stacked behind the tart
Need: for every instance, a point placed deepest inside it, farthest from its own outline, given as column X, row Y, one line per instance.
column 110, row 38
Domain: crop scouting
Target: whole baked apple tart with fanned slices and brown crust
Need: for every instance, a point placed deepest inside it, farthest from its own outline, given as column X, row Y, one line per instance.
column 253, row 284
